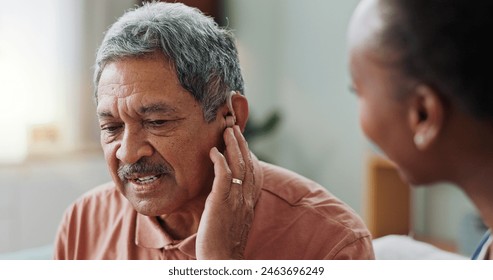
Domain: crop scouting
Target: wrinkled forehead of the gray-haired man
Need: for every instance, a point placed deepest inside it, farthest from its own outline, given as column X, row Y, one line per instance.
column 141, row 84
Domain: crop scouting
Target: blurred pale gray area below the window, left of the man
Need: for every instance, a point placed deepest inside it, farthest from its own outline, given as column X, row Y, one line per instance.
column 34, row 195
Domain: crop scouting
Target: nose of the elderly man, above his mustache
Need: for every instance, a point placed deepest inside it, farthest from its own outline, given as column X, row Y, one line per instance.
column 133, row 147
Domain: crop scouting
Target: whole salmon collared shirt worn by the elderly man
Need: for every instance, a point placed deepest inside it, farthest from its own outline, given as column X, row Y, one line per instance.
column 295, row 218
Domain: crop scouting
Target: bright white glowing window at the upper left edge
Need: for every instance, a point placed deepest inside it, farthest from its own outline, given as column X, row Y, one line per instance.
column 30, row 71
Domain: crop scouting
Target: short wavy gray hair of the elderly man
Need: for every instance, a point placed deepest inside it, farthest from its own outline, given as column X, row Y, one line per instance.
column 203, row 54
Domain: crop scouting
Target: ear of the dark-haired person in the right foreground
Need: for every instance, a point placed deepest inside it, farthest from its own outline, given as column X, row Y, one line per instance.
column 426, row 116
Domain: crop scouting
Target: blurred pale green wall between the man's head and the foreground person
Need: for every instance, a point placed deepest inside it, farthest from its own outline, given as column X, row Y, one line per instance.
column 293, row 55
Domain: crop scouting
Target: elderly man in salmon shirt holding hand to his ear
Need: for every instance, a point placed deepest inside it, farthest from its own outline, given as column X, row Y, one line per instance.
column 171, row 110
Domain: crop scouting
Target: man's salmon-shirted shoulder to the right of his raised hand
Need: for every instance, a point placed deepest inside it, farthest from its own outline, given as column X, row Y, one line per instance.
column 303, row 220
